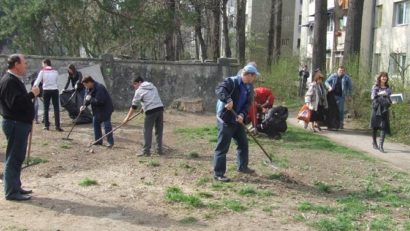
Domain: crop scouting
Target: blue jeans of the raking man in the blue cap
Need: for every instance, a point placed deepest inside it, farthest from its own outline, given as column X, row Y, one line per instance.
column 225, row 133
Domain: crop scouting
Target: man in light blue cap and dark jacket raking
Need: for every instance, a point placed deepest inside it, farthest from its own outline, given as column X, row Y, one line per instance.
column 234, row 97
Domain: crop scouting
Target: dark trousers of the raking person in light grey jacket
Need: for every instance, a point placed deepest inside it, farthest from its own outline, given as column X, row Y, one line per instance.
column 154, row 119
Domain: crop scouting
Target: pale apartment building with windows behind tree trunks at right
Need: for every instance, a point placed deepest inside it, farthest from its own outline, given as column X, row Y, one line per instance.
column 385, row 42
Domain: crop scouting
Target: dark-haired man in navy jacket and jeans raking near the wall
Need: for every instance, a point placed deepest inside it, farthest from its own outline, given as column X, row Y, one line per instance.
column 101, row 104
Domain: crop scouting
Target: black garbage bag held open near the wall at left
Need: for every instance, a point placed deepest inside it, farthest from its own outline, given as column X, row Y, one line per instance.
column 72, row 100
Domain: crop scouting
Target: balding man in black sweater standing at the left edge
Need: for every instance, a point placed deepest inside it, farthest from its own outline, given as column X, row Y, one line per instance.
column 17, row 109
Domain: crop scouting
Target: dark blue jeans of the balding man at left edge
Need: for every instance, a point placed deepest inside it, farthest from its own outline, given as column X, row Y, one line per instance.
column 16, row 134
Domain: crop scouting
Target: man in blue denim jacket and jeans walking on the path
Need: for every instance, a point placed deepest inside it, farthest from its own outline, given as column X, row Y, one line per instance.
column 341, row 85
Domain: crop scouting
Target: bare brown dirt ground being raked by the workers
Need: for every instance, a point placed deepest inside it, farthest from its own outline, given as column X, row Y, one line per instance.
column 130, row 194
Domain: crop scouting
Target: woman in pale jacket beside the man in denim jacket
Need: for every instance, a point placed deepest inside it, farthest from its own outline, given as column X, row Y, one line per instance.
column 316, row 99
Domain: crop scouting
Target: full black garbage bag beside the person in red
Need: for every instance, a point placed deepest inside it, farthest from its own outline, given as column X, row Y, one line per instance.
column 275, row 122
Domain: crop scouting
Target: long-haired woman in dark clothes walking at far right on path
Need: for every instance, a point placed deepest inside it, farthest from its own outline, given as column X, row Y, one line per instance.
column 380, row 109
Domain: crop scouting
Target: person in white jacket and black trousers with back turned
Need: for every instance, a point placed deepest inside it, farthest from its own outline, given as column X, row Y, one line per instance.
column 49, row 77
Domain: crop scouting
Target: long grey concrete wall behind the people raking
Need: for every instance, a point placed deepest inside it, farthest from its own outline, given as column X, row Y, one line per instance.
column 173, row 79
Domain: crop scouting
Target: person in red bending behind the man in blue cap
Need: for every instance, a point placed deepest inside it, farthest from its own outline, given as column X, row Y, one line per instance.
column 262, row 102
